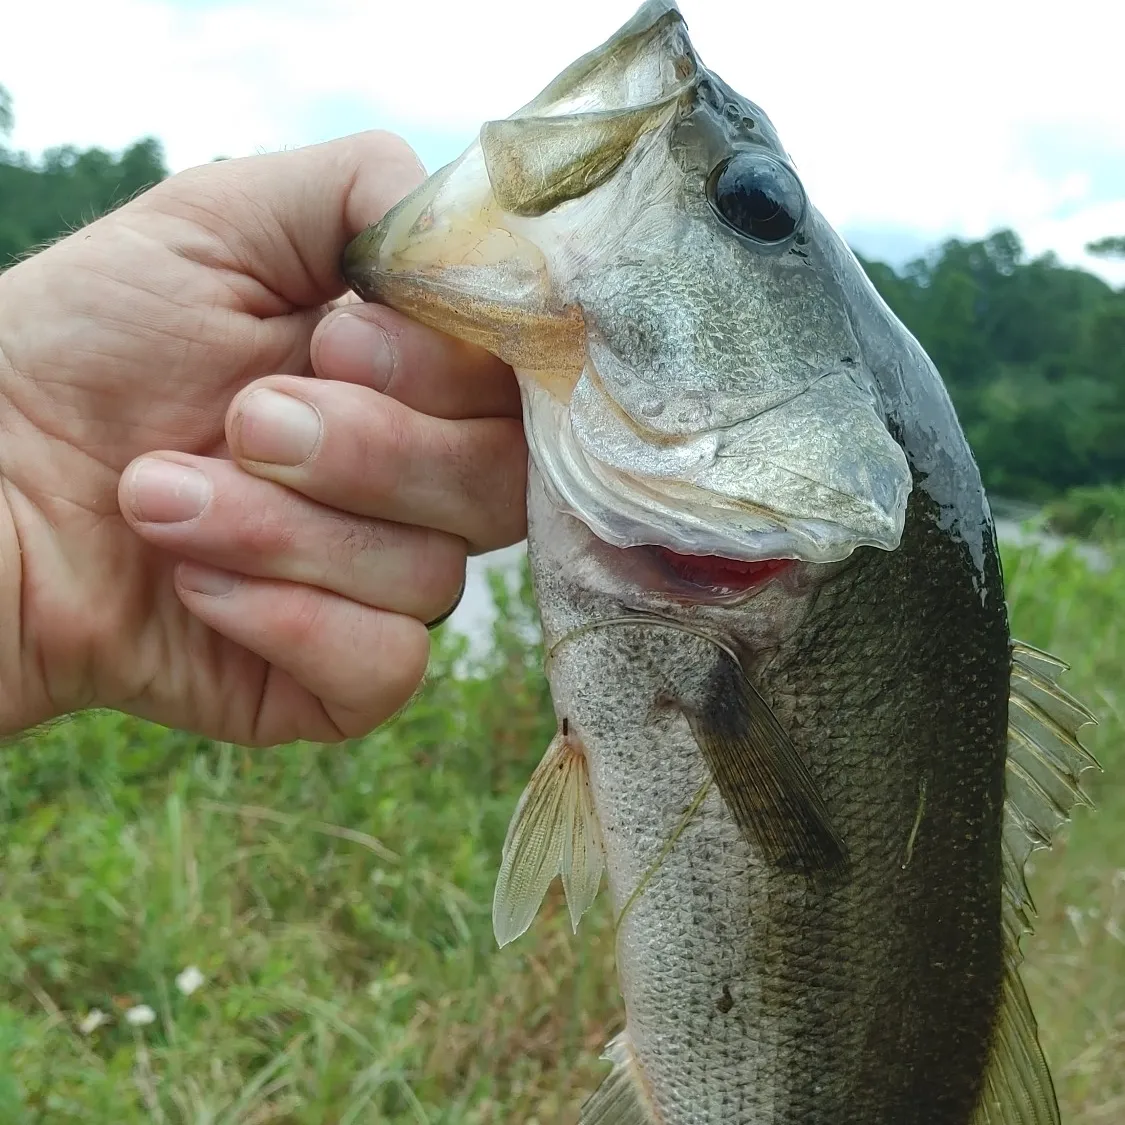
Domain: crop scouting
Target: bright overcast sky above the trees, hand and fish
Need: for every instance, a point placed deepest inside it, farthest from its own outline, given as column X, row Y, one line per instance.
column 908, row 121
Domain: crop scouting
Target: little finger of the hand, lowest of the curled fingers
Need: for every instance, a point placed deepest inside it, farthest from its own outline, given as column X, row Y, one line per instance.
column 362, row 664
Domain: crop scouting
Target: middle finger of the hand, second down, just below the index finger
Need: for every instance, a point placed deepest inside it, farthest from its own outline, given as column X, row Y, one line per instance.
column 354, row 449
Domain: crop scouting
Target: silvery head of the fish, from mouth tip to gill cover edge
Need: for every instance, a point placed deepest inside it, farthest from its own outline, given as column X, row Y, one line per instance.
column 583, row 242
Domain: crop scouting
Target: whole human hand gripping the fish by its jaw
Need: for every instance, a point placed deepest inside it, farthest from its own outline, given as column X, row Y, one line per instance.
column 314, row 555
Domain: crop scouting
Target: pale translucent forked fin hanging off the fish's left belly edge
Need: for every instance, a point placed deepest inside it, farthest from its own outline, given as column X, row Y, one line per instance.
column 554, row 832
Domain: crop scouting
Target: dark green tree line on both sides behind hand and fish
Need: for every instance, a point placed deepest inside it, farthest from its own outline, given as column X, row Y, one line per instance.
column 1033, row 352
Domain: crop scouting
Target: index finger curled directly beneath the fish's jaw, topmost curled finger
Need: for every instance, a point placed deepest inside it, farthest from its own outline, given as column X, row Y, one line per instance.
column 425, row 370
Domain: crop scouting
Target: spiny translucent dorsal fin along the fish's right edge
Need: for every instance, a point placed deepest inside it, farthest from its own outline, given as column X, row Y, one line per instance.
column 1046, row 762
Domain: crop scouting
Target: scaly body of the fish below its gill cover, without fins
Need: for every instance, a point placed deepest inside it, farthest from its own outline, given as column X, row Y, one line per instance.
column 871, row 1000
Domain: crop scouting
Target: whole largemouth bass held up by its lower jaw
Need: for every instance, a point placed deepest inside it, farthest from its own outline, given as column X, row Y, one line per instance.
column 794, row 730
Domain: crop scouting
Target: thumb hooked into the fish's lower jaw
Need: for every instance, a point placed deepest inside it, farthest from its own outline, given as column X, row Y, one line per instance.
column 284, row 219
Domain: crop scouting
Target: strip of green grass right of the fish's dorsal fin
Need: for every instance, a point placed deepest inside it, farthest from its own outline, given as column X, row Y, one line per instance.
column 1076, row 960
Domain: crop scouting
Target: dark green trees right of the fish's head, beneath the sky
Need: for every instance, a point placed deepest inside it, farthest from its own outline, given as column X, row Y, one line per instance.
column 1033, row 354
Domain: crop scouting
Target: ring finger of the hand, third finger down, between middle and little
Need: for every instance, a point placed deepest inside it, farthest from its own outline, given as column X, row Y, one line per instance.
column 213, row 512
